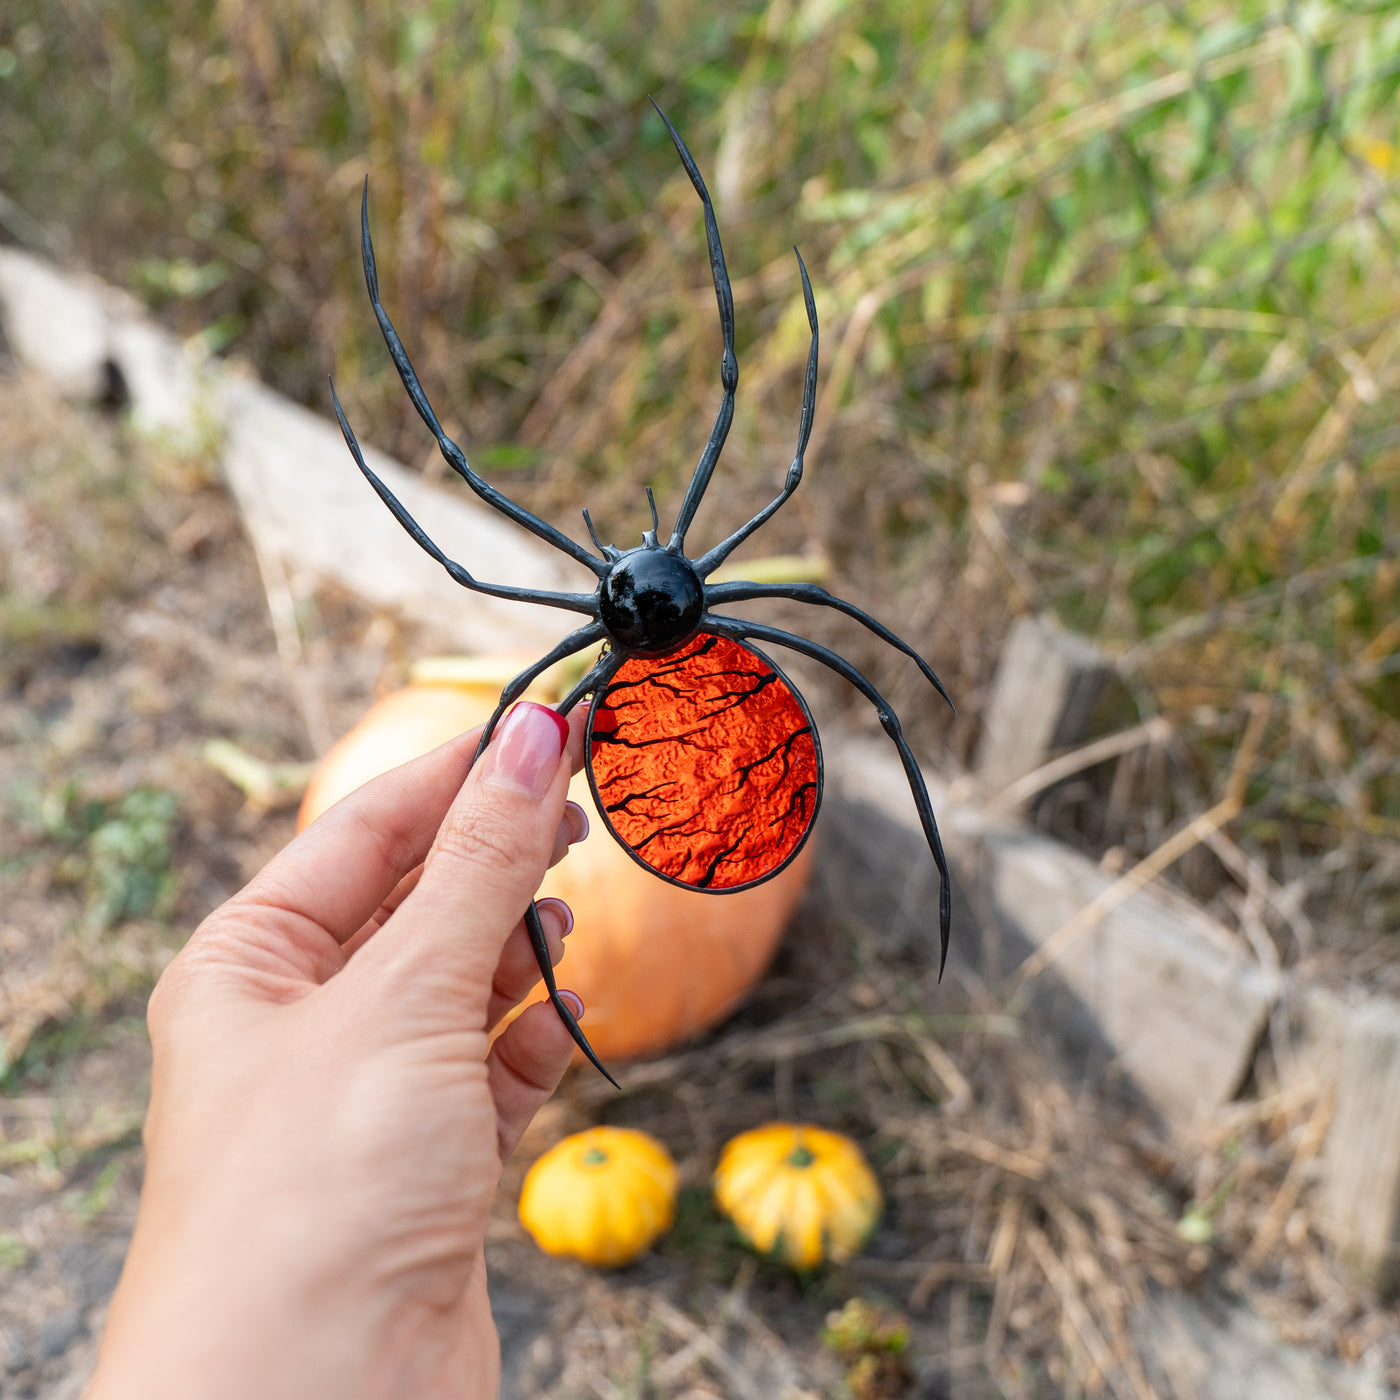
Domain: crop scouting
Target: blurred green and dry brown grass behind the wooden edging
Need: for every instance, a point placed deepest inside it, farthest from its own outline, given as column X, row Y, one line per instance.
column 1109, row 299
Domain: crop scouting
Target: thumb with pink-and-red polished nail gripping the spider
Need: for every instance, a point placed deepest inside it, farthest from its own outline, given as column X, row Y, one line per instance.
column 486, row 863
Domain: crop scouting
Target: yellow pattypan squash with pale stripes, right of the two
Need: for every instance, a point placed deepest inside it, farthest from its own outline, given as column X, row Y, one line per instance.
column 797, row 1192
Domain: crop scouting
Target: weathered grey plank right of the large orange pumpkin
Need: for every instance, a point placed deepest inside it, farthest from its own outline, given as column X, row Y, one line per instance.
column 1157, row 992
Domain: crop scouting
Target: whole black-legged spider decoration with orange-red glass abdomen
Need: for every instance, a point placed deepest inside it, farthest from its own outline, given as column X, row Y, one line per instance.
column 702, row 757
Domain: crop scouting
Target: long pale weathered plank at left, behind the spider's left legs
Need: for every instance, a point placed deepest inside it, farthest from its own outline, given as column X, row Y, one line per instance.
column 310, row 513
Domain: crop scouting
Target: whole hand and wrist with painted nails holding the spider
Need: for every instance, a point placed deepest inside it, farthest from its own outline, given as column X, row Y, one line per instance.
column 328, row 1112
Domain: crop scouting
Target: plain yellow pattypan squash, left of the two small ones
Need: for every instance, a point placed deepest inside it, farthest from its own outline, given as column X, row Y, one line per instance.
column 601, row 1196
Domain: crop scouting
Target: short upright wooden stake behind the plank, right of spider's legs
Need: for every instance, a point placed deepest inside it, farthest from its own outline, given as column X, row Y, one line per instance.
column 1048, row 682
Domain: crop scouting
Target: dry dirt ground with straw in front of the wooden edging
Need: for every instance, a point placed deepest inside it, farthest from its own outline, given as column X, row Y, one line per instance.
column 1025, row 1230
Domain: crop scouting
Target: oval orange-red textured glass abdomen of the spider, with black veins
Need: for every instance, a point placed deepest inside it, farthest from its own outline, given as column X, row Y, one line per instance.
column 705, row 764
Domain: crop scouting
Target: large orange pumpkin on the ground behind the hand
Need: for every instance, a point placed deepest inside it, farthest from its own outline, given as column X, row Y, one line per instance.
column 654, row 964
